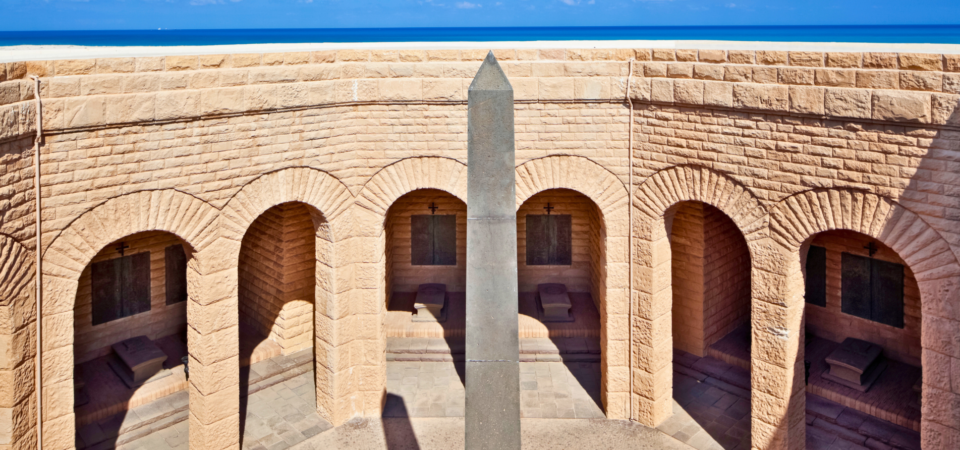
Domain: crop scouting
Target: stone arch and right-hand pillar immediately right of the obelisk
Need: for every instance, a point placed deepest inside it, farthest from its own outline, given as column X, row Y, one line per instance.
column 605, row 193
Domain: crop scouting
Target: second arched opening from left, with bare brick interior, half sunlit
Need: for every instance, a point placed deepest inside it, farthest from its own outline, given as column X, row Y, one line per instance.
column 282, row 256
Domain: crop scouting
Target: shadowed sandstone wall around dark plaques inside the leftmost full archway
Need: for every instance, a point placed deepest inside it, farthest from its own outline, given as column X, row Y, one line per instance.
column 161, row 320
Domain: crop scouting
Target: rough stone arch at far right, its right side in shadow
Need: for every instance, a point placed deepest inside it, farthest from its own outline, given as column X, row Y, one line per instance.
column 796, row 220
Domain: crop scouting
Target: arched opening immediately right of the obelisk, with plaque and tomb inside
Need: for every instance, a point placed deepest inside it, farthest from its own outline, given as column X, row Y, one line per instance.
column 561, row 241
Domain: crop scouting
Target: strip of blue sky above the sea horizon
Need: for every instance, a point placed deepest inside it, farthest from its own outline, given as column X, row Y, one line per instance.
column 205, row 14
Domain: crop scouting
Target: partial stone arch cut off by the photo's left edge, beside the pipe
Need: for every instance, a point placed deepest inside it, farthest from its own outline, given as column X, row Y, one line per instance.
column 17, row 301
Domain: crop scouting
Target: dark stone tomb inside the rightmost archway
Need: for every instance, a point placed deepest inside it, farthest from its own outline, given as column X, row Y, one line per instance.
column 856, row 364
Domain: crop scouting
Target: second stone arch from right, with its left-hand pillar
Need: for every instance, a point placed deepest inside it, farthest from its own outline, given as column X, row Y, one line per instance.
column 656, row 201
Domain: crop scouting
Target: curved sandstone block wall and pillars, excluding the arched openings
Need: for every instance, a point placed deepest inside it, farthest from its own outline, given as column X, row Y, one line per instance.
column 328, row 130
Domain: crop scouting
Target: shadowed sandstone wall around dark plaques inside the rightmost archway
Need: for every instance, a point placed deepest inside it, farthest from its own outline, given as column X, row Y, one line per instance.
column 899, row 344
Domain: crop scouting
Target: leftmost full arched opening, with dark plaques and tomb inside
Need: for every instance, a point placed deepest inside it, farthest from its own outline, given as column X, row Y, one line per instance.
column 130, row 339
